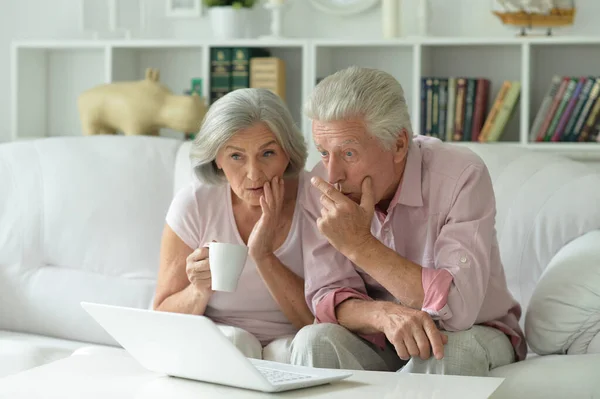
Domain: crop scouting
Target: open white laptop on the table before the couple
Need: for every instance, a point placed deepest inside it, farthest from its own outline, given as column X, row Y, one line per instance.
column 193, row 347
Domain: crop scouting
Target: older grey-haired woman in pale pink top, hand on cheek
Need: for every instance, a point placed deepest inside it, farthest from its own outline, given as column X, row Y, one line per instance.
column 249, row 162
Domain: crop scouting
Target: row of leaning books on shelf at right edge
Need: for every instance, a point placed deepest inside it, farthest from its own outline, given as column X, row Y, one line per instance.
column 570, row 111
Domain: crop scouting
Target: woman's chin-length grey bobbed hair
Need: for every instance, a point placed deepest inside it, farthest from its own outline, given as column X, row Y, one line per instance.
column 239, row 110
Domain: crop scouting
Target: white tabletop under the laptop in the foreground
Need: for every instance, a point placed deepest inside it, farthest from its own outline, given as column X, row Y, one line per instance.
column 117, row 375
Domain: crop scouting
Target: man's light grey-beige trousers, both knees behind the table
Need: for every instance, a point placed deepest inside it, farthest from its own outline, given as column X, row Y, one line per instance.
column 473, row 352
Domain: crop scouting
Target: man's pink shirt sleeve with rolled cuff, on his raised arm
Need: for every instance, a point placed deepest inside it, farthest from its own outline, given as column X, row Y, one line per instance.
column 455, row 288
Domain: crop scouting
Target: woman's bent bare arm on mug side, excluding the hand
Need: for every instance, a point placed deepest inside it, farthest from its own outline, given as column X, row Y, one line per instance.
column 174, row 292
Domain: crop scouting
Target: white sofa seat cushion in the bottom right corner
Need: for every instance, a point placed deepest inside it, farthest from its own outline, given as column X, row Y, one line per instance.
column 548, row 377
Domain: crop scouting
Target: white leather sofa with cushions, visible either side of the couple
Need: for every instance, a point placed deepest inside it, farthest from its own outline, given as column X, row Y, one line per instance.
column 81, row 220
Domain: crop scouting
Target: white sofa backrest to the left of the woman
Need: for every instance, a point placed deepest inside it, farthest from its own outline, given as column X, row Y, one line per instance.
column 81, row 219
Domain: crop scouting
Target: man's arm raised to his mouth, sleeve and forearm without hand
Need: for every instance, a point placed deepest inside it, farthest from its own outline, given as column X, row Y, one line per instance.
column 453, row 292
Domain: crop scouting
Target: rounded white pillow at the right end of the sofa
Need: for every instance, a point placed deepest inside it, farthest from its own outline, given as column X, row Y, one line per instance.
column 563, row 316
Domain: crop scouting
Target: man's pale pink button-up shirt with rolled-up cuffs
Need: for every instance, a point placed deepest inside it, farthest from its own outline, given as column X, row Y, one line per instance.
column 442, row 217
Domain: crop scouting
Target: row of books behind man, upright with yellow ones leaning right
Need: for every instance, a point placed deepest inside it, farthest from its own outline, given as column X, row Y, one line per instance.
column 456, row 108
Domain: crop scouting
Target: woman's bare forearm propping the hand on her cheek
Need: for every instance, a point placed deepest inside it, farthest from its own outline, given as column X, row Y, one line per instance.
column 287, row 289
